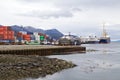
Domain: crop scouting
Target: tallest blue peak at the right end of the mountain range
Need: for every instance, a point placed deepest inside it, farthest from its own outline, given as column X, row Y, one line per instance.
column 54, row 33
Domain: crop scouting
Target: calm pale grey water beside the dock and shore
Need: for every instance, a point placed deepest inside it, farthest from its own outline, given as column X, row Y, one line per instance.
column 103, row 64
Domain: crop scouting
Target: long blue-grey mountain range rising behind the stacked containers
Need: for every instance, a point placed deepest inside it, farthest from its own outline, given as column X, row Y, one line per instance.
column 53, row 33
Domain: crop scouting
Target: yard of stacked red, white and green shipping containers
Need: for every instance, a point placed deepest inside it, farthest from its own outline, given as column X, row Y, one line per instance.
column 8, row 36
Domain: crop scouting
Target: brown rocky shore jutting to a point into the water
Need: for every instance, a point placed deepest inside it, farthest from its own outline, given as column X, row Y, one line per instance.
column 14, row 67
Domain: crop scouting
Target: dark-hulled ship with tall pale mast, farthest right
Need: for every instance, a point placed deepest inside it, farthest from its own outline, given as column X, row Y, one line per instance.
column 105, row 38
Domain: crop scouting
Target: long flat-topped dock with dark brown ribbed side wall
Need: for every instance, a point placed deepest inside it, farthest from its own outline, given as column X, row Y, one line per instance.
column 42, row 50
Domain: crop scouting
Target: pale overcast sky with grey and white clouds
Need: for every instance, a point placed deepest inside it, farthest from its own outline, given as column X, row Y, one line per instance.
column 79, row 17
